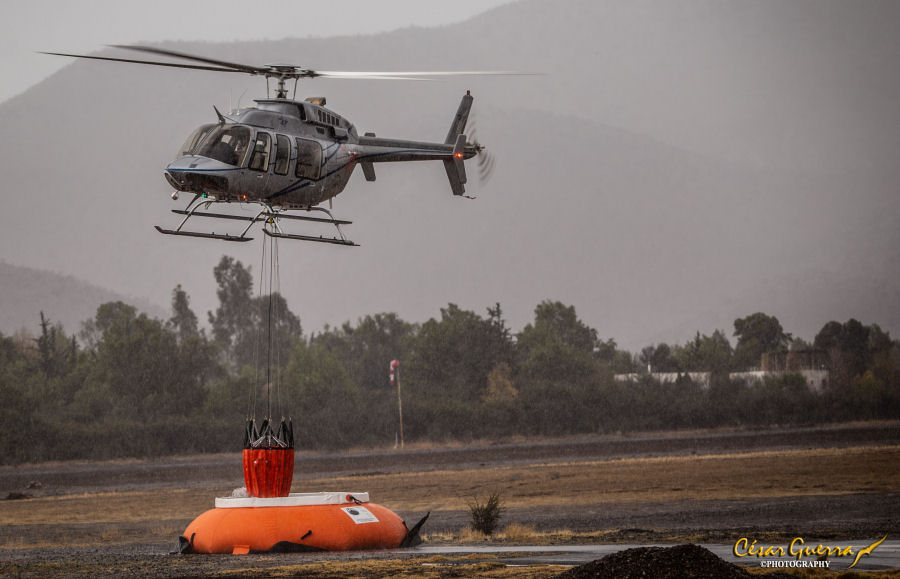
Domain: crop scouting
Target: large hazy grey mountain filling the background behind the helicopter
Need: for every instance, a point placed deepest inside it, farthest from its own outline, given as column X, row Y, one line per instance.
column 680, row 165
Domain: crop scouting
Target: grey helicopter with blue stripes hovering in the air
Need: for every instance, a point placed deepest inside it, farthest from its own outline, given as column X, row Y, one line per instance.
column 289, row 156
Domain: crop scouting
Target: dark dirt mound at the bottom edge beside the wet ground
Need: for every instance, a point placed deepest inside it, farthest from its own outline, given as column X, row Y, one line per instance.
column 658, row 563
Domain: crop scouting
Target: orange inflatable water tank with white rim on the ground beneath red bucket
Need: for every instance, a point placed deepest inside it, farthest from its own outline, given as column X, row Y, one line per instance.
column 298, row 522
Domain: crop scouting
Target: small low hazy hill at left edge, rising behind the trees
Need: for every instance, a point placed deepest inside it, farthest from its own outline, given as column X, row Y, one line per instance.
column 62, row 299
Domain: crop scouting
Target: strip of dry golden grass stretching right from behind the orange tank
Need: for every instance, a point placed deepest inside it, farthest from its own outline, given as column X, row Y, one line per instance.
column 725, row 476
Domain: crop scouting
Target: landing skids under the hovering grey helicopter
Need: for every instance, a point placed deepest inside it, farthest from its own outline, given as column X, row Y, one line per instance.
column 269, row 216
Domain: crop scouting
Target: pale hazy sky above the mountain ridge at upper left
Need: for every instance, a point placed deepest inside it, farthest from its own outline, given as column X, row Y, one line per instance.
column 87, row 25
